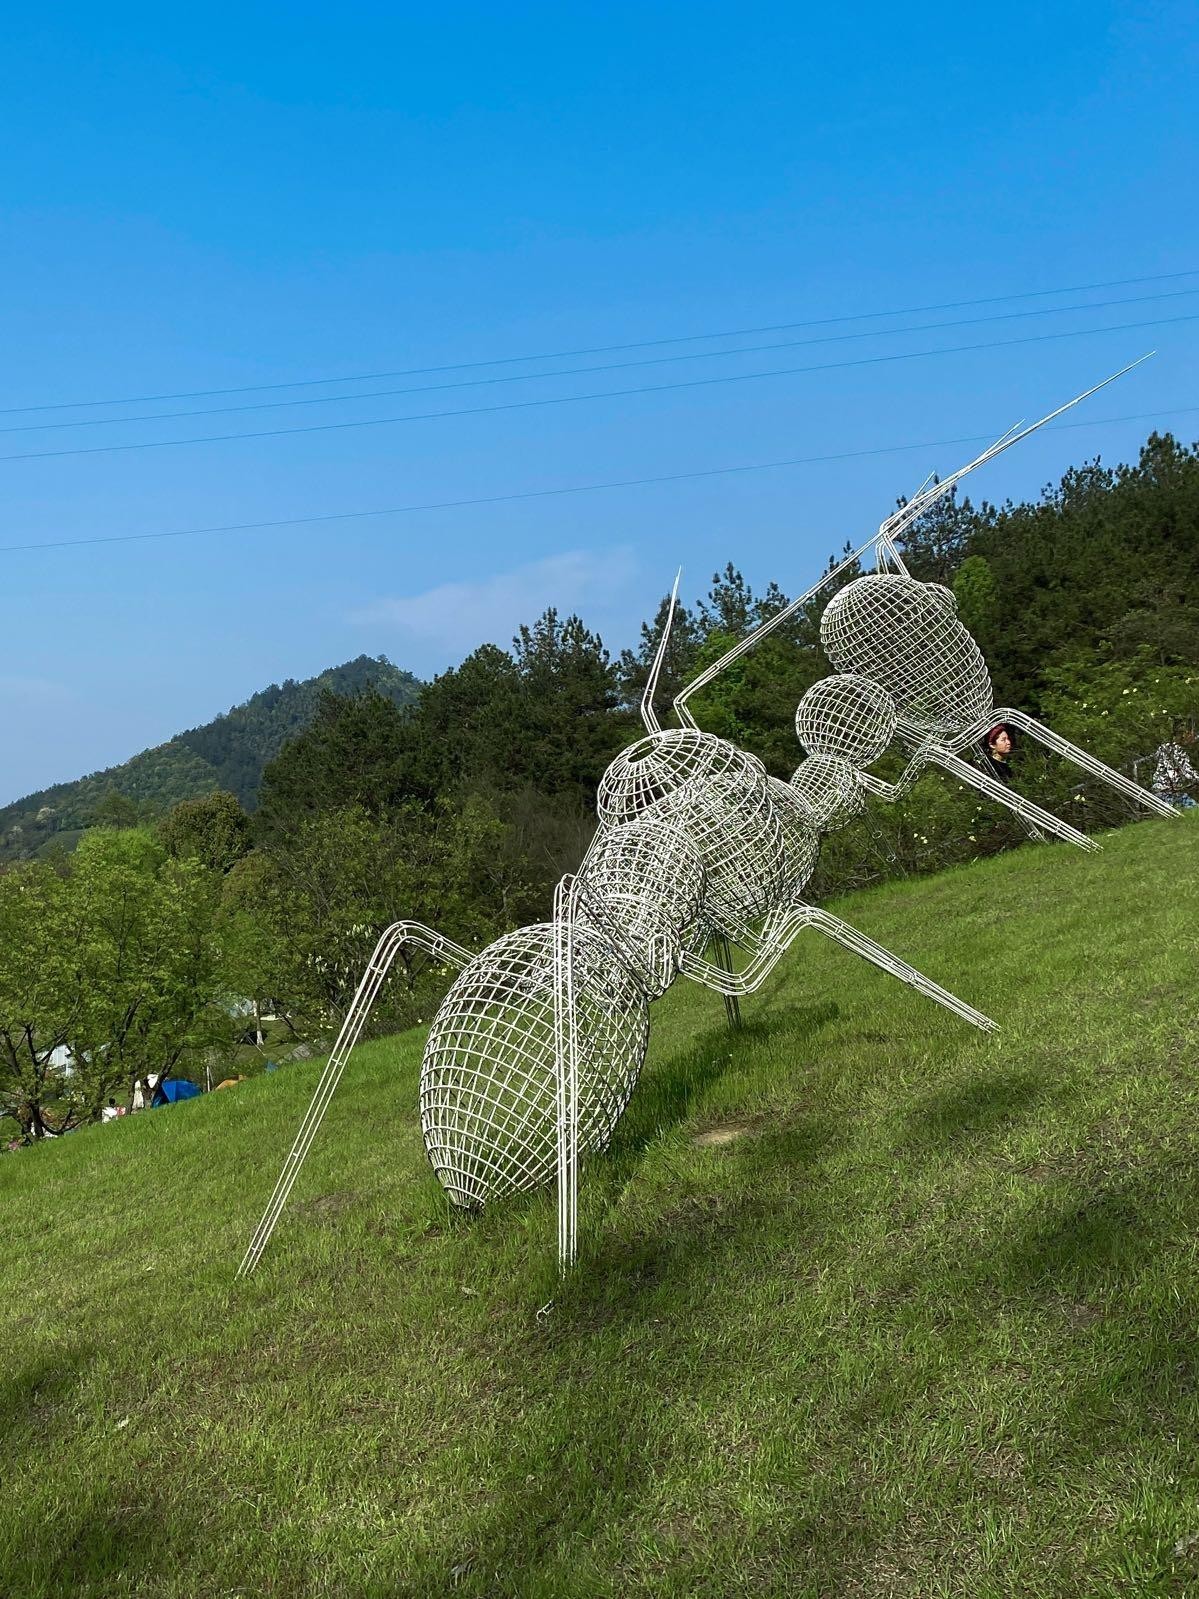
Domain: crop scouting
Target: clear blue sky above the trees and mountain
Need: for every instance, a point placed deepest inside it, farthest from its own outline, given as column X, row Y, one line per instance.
column 228, row 197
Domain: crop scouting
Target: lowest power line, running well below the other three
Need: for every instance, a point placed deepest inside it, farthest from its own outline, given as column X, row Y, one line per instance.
column 575, row 488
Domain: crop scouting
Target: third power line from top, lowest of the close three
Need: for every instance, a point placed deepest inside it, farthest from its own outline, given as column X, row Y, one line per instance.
column 607, row 394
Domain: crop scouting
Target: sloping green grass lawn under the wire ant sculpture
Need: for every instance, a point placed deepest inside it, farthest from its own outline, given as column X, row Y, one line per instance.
column 867, row 1306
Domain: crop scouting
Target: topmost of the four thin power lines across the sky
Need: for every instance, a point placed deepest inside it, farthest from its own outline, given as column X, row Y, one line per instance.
column 605, row 349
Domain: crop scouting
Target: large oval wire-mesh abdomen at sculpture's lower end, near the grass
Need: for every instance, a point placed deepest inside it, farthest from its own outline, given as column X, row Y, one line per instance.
column 490, row 1074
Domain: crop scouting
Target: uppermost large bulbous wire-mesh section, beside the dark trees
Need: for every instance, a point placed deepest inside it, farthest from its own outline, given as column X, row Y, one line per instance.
column 906, row 637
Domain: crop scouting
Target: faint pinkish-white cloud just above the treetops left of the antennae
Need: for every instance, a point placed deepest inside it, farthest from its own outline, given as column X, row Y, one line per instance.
column 490, row 610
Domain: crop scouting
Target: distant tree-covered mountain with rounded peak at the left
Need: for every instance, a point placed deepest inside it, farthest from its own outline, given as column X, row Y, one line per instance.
column 228, row 752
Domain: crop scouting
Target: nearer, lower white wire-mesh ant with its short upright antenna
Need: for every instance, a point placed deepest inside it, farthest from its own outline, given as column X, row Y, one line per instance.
column 540, row 1042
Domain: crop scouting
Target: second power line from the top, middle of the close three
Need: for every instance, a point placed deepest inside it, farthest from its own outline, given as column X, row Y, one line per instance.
column 583, row 372
